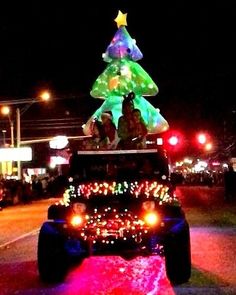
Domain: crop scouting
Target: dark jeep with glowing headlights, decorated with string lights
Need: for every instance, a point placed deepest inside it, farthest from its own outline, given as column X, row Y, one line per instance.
column 118, row 202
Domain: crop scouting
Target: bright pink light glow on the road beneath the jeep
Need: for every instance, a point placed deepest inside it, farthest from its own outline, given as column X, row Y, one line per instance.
column 113, row 275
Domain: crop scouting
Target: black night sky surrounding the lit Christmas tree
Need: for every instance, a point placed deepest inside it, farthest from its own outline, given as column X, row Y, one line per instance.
column 188, row 50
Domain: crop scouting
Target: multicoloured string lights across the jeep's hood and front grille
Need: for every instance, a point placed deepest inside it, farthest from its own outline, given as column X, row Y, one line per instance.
column 108, row 225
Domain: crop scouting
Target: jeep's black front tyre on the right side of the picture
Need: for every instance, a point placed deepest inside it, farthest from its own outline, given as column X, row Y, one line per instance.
column 178, row 257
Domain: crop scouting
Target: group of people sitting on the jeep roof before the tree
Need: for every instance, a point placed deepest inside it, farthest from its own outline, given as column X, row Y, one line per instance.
column 130, row 133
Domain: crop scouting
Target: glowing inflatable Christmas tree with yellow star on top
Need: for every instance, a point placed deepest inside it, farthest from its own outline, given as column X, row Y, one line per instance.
column 124, row 75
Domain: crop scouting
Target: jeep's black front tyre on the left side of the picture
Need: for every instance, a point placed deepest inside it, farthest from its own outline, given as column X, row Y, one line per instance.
column 52, row 259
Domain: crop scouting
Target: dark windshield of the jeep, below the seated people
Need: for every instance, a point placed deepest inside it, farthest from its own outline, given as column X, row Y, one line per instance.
column 119, row 165
